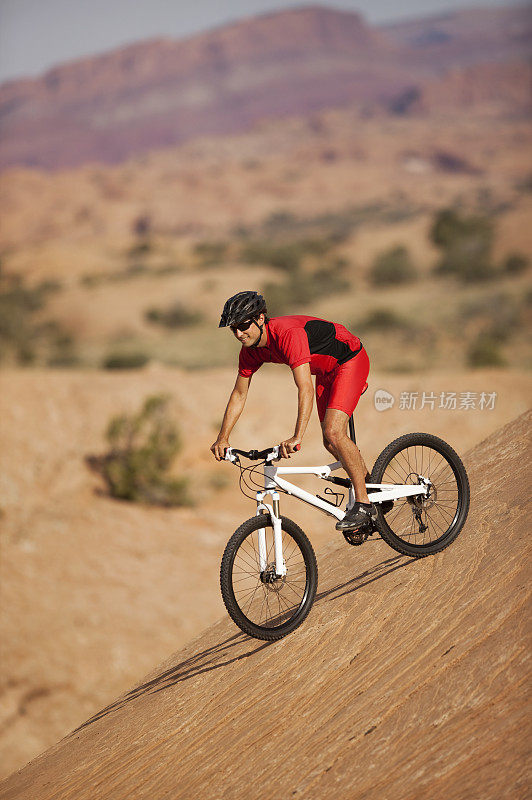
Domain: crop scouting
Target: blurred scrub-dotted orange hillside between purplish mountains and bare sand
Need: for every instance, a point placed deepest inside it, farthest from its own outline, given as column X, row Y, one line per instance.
column 135, row 261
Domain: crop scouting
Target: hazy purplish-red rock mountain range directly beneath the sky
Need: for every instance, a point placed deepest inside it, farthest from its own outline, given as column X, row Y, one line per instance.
column 161, row 92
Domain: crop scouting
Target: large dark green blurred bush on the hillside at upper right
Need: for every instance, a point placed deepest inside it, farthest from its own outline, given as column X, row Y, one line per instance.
column 466, row 243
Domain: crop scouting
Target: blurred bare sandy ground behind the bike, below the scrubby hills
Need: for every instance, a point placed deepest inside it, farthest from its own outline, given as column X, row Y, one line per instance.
column 95, row 590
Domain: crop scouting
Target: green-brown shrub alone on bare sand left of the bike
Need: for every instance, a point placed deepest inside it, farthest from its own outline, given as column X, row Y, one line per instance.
column 143, row 447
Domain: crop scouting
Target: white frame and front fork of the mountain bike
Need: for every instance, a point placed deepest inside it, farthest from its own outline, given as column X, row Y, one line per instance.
column 272, row 481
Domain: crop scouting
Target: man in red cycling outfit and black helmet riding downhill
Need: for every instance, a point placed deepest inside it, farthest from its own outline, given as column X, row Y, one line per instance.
column 310, row 346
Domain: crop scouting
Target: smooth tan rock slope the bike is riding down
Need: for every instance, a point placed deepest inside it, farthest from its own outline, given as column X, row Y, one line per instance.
column 407, row 680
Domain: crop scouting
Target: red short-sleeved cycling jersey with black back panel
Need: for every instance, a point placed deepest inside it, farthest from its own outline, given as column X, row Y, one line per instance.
column 299, row 340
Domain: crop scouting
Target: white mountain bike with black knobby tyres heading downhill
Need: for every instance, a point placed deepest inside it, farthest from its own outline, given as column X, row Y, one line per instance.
column 269, row 574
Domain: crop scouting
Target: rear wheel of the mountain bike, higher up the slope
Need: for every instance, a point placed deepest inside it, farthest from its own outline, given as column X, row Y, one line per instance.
column 417, row 526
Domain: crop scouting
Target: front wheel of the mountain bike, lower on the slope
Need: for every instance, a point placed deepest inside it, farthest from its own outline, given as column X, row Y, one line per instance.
column 262, row 604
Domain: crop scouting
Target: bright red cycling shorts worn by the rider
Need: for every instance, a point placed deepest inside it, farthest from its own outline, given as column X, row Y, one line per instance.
column 342, row 387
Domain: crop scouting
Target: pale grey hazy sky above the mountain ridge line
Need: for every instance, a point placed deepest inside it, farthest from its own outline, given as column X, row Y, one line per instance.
column 36, row 34
